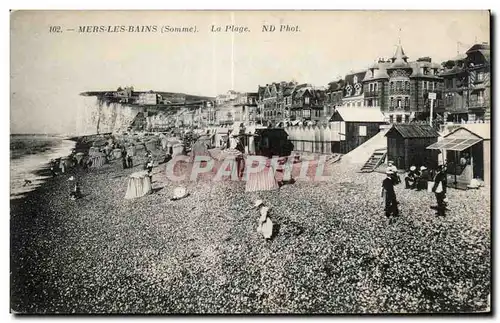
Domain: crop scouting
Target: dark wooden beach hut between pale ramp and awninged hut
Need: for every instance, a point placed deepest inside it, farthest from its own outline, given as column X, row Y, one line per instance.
column 407, row 145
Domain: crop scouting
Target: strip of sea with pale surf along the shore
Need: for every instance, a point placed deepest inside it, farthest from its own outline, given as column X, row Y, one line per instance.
column 30, row 153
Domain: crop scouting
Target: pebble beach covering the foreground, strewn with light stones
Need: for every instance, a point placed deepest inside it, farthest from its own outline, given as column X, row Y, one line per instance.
column 333, row 250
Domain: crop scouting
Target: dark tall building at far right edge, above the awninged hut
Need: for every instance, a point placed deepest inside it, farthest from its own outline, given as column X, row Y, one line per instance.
column 466, row 92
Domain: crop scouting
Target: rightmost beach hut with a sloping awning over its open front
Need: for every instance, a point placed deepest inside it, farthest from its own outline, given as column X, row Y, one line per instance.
column 470, row 144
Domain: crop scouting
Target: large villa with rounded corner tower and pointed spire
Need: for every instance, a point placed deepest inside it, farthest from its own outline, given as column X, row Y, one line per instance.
column 403, row 89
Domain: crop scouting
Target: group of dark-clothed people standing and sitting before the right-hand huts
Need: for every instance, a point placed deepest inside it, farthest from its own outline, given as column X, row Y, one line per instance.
column 414, row 180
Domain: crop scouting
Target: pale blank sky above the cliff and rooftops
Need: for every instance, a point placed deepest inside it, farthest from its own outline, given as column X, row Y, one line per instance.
column 49, row 70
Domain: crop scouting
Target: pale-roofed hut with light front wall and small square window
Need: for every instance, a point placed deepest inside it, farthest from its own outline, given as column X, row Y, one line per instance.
column 352, row 126
